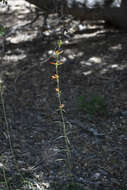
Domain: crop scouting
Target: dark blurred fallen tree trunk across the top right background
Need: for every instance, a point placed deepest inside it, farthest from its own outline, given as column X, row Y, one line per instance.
column 113, row 11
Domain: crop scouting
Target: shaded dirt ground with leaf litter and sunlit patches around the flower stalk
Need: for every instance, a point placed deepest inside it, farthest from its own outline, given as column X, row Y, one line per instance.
column 94, row 71
